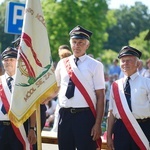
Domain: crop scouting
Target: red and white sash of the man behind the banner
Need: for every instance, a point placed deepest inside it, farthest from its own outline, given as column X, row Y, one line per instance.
column 20, row 132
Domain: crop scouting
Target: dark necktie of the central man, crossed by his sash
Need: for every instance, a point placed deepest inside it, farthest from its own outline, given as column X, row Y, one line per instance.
column 71, row 86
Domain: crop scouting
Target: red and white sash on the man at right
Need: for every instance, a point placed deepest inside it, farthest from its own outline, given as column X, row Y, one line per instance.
column 127, row 116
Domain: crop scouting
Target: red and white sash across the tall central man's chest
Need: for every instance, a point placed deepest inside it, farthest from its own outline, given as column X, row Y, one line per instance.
column 69, row 63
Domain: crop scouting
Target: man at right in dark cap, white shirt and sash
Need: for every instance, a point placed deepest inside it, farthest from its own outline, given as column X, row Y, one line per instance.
column 129, row 111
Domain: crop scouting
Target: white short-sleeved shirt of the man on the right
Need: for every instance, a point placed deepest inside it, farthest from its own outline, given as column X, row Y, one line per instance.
column 140, row 97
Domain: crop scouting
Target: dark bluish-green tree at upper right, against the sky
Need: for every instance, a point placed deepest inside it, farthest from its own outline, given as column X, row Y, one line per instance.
column 130, row 22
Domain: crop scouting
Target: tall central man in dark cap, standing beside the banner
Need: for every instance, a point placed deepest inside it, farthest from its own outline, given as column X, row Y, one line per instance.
column 80, row 79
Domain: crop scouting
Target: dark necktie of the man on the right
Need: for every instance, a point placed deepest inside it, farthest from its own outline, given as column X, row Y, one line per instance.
column 127, row 92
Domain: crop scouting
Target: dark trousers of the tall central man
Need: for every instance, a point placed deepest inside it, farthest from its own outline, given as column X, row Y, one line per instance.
column 74, row 130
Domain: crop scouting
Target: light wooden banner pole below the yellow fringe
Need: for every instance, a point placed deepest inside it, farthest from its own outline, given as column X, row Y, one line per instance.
column 38, row 125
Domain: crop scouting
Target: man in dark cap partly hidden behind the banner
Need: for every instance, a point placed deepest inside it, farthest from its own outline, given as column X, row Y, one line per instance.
column 11, row 137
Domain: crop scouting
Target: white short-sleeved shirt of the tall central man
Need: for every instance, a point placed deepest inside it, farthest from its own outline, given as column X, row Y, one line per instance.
column 92, row 71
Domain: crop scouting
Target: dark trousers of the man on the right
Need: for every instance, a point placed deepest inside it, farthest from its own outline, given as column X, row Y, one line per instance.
column 122, row 138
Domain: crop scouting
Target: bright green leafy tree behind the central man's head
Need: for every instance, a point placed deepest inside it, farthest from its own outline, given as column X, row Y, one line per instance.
column 64, row 15
